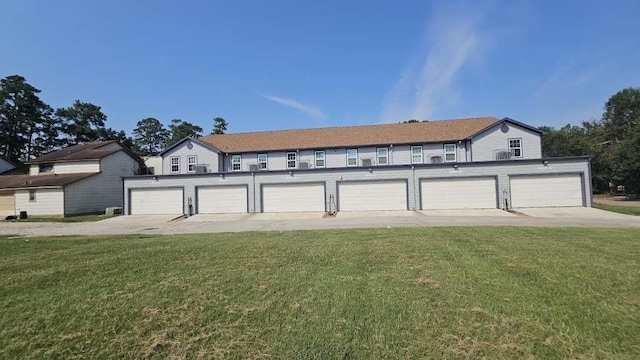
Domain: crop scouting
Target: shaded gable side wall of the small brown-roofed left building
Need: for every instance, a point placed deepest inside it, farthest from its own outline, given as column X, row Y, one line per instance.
column 94, row 194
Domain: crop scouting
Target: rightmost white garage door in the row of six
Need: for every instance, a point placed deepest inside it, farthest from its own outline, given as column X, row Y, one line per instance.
column 546, row 191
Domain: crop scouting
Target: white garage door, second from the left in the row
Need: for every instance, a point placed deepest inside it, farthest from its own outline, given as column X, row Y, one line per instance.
column 222, row 199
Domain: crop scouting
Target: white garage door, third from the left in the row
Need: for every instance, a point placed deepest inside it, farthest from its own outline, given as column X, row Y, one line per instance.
column 293, row 197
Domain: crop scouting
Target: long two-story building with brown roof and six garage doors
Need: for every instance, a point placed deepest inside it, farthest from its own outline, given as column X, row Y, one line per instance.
column 452, row 164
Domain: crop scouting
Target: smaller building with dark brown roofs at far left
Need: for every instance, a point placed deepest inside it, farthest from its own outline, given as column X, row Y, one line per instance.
column 79, row 179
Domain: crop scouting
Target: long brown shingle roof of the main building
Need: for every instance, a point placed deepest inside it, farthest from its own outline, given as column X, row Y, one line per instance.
column 334, row 137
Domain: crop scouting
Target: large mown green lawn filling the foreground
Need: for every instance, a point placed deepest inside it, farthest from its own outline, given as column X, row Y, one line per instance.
column 344, row 294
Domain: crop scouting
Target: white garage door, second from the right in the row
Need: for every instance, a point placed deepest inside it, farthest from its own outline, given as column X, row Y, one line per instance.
column 469, row 193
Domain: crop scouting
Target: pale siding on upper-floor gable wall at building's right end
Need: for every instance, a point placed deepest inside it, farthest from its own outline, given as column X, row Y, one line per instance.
column 494, row 139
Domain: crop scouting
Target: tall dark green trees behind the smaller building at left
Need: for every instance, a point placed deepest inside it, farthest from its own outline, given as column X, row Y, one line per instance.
column 30, row 128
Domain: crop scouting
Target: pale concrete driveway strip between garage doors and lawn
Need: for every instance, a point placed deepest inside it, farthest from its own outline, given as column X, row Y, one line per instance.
column 162, row 224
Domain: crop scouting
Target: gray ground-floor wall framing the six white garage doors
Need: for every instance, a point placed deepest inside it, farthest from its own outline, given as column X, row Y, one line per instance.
column 412, row 174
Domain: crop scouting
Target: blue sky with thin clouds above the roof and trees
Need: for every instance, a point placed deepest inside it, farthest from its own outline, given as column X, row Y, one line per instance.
column 266, row 65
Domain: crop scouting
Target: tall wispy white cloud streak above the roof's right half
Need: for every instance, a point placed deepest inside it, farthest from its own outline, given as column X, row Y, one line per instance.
column 452, row 39
